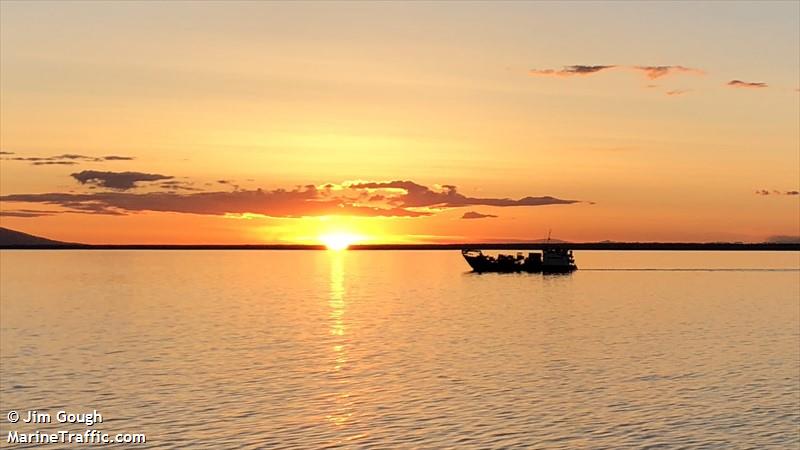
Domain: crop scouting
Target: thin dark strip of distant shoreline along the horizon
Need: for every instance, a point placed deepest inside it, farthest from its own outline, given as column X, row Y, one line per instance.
column 648, row 246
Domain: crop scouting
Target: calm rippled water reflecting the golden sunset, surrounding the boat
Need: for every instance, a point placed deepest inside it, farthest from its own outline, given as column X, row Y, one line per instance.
column 251, row 349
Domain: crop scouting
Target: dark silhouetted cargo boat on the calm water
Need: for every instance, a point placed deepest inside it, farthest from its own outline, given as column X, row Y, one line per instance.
column 550, row 260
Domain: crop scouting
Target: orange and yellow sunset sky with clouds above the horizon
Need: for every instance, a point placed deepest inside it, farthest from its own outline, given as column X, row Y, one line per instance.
column 400, row 122
